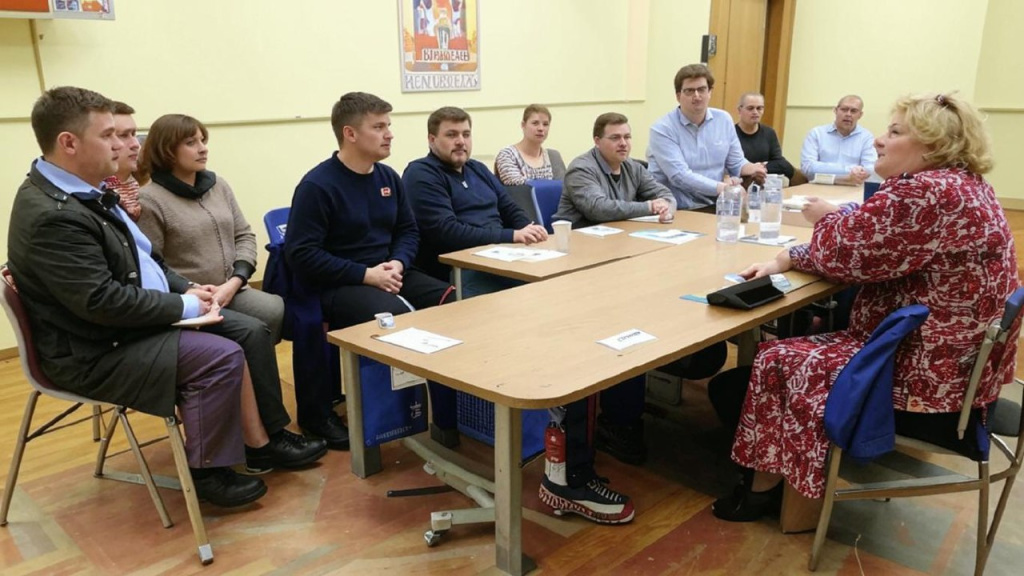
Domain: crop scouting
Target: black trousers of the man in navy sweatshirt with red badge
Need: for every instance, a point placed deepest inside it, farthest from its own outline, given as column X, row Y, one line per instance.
column 348, row 306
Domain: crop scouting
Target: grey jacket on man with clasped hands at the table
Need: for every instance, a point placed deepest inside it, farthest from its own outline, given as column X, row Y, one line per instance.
column 590, row 195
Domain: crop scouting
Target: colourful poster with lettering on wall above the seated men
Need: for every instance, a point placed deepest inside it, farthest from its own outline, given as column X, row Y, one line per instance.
column 440, row 46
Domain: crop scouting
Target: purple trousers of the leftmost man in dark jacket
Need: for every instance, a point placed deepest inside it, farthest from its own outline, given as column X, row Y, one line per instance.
column 209, row 385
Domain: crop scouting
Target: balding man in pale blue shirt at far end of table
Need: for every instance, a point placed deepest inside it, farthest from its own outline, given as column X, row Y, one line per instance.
column 842, row 149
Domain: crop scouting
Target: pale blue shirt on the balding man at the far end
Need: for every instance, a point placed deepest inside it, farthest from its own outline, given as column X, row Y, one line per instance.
column 828, row 152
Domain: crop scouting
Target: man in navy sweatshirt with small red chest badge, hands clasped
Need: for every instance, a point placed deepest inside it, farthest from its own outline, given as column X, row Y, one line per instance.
column 353, row 239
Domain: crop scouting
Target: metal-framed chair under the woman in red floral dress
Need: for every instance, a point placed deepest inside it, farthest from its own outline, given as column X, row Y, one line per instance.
column 998, row 333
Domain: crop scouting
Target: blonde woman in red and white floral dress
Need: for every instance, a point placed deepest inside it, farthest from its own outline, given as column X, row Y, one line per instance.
column 933, row 234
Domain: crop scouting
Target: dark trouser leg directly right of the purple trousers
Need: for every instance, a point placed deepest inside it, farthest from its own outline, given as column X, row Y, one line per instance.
column 258, row 343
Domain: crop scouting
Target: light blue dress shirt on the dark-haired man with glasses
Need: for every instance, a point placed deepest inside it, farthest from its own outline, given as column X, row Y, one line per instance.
column 692, row 159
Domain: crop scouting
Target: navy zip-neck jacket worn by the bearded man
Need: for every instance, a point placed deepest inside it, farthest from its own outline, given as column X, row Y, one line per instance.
column 458, row 211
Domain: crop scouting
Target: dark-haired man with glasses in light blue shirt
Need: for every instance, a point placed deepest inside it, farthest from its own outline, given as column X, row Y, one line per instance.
column 694, row 147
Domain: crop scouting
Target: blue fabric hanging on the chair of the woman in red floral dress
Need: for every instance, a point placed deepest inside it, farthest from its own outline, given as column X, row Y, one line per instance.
column 859, row 415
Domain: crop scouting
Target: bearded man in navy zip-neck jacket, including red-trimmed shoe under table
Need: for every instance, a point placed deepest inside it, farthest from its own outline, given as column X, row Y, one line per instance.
column 459, row 203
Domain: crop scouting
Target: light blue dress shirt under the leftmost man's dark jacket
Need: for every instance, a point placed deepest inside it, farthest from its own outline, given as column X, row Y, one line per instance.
column 153, row 276
